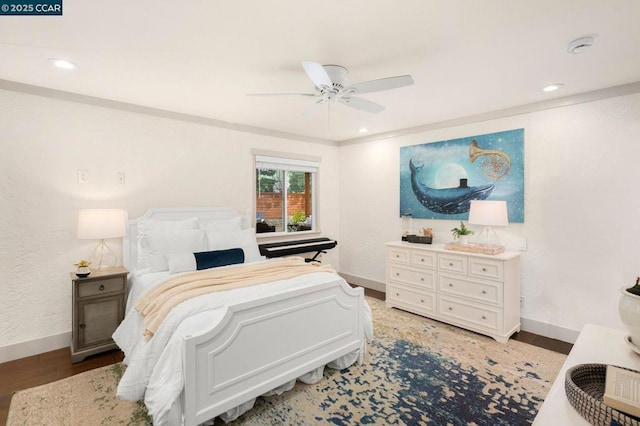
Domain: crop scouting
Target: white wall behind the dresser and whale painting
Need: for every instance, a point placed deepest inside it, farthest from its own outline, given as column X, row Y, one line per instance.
column 581, row 210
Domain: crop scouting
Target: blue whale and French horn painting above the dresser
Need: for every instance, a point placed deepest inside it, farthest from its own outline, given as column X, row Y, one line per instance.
column 439, row 180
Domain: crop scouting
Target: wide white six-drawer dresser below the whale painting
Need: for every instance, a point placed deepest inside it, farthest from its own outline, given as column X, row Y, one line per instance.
column 470, row 290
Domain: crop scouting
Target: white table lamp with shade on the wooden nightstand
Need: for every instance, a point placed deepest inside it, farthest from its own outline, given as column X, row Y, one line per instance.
column 101, row 224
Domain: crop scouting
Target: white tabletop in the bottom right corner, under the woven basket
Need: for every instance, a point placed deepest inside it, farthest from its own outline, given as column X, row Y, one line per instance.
column 595, row 345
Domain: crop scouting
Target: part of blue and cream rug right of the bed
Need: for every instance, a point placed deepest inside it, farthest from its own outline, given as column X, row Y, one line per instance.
column 418, row 371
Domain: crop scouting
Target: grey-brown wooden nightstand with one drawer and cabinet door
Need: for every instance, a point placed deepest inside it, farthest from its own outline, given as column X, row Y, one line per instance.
column 98, row 308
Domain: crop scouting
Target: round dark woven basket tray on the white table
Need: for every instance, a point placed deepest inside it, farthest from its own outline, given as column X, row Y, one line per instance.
column 584, row 385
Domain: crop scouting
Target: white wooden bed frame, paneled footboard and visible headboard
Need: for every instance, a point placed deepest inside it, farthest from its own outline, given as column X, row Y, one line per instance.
column 262, row 344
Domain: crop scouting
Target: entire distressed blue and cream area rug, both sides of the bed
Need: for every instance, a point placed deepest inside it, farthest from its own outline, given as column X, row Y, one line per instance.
column 417, row 371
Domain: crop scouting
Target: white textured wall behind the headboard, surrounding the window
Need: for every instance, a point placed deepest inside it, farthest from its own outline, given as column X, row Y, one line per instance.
column 44, row 142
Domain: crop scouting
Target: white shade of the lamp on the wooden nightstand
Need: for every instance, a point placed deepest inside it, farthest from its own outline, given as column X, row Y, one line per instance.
column 99, row 224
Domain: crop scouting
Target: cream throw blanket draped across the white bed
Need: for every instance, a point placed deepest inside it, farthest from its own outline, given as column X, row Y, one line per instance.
column 155, row 305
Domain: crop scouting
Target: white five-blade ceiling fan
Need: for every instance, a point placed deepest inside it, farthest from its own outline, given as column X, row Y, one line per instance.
column 329, row 81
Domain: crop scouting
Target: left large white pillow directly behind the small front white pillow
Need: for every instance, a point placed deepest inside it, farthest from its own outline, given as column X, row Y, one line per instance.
column 156, row 245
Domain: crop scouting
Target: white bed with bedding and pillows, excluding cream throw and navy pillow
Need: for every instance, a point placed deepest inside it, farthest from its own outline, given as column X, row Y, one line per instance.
column 214, row 354
